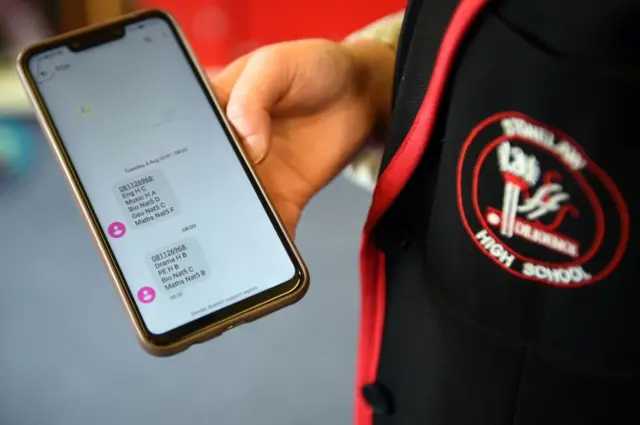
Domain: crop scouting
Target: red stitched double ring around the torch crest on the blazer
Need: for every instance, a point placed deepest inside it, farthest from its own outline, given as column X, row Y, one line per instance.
column 606, row 181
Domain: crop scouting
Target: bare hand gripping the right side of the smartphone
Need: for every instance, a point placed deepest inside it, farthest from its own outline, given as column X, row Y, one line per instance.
column 303, row 109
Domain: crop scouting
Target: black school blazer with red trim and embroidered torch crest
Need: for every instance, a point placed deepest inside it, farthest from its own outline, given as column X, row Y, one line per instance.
column 499, row 257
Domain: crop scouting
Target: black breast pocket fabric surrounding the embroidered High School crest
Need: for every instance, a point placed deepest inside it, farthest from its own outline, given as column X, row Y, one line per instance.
column 595, row 326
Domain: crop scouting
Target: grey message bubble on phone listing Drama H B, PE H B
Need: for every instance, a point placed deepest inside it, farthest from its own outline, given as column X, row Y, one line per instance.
column 178, row 265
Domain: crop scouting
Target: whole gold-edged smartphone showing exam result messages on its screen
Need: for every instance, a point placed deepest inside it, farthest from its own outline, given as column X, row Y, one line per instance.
column 185, row 228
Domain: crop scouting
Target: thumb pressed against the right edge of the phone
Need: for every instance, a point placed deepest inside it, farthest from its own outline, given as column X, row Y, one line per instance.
column 265, row 79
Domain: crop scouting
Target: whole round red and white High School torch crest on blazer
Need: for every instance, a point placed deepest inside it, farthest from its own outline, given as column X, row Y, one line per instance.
column 535, row 204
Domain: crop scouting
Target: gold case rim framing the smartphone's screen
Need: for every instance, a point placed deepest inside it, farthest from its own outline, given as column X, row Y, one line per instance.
column 288, row 297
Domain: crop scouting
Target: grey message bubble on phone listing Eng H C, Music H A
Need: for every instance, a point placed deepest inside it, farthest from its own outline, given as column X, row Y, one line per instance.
column 146, row 199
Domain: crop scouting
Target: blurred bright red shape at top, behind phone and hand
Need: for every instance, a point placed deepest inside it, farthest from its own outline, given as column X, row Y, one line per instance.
column 222, row 30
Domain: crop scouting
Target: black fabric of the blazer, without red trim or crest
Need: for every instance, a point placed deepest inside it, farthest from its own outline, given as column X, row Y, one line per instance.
column 465, row 342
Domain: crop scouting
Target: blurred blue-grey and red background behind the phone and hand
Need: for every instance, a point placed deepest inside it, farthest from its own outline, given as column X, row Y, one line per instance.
column 67, row 353
